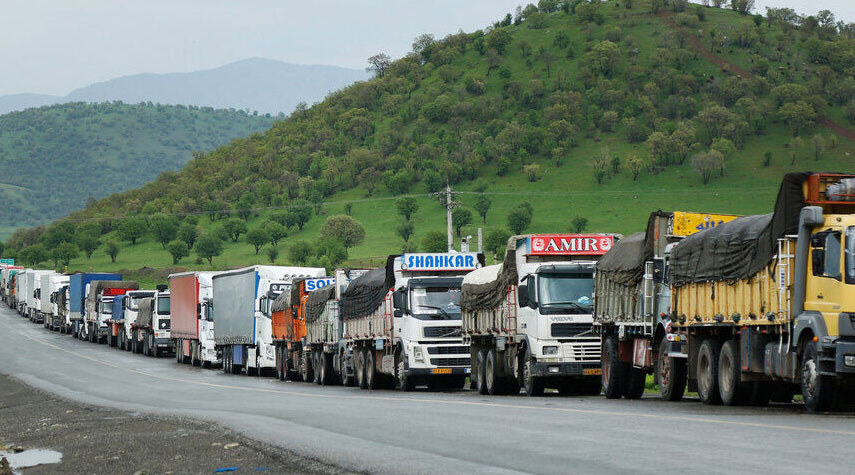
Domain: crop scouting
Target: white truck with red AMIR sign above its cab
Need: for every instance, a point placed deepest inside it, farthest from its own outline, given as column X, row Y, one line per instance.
column 529, row 319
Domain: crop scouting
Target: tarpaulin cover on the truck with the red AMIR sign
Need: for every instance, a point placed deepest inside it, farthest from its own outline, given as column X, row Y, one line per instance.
column 485, row 294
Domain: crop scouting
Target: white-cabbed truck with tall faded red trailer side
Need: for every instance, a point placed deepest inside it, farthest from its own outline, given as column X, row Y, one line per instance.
column 192, row 332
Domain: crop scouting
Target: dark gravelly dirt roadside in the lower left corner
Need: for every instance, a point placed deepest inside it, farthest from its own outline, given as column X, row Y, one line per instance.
column 95, row 440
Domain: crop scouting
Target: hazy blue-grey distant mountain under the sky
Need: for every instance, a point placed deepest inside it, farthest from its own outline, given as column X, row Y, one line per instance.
column 257, row 84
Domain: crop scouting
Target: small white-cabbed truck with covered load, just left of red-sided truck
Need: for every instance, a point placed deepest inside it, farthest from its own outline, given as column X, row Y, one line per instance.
column 150, row 330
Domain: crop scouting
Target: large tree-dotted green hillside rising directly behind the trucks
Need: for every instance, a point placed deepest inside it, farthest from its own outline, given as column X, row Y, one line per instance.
column 598, row 111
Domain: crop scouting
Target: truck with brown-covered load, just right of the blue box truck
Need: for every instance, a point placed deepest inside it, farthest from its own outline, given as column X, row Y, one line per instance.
column 99, row 308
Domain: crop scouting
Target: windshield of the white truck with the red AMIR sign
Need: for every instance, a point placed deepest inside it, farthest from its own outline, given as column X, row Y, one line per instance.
column 565, row 293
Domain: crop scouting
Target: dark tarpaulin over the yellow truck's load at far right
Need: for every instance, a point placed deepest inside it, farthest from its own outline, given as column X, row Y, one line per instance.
column 742, row 247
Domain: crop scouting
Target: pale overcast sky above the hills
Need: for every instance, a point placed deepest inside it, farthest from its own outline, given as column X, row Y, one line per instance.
column 55, row 46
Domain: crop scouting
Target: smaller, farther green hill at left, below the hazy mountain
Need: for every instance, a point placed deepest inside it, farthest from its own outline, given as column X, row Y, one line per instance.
column 54, row 159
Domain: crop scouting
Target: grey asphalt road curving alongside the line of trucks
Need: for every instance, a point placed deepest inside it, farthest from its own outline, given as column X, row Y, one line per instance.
column 392, row 432
